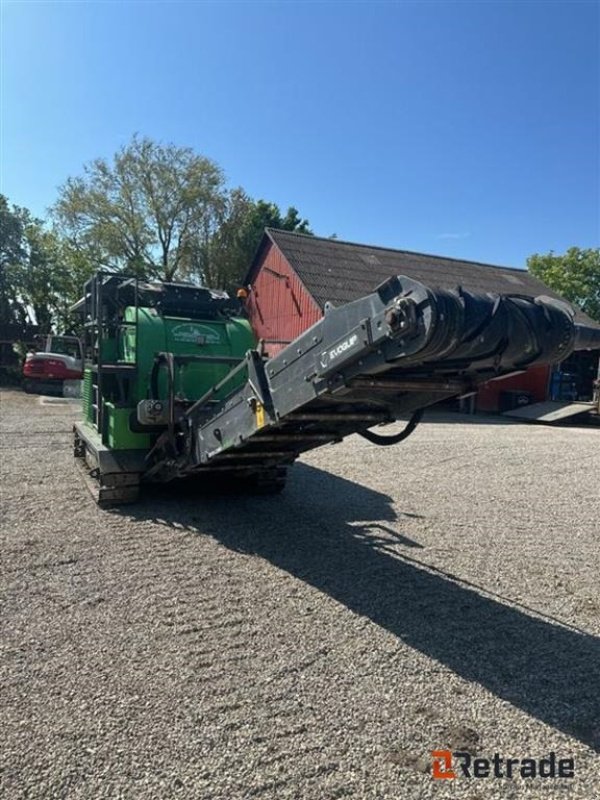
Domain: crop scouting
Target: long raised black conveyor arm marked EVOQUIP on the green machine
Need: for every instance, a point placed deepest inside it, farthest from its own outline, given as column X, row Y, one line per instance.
column 383, row 357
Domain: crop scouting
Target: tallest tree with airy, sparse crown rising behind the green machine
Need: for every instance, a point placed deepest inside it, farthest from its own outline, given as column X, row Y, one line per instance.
column 151, row 210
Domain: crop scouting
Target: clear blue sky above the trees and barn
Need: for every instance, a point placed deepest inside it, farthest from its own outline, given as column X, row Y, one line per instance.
column 470, row 129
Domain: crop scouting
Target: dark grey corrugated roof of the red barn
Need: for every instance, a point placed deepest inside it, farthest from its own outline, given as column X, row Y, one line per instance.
column 339, row 272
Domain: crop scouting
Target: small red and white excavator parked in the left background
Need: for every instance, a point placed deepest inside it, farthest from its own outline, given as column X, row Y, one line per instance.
column 58, row 361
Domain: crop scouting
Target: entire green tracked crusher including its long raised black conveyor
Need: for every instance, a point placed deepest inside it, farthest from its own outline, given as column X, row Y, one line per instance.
column 175, row 385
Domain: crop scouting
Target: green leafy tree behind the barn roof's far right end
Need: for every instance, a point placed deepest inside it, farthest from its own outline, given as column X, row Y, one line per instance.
column 575, row 275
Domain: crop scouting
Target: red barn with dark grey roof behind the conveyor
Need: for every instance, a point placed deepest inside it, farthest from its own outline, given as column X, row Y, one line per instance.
column 293, row 275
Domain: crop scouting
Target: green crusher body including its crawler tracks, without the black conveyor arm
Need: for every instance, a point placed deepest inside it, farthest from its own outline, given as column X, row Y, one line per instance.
column 147, row 345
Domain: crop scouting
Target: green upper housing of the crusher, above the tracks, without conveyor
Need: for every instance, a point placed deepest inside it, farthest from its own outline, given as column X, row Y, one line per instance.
column 204, row 332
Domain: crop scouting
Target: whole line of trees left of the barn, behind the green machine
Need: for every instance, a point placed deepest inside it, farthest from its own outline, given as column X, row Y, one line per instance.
column 158, row 211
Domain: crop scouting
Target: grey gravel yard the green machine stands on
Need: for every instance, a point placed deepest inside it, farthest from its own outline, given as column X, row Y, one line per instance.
column 319, row 644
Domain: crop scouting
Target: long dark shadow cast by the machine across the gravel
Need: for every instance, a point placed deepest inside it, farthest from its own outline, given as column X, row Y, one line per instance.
column 319, row 531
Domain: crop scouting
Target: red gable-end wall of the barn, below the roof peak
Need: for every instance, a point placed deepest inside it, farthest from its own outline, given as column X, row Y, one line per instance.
column 278, row 305
